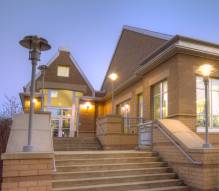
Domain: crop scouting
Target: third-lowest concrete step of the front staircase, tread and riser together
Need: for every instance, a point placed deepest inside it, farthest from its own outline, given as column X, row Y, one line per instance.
column 110, row 180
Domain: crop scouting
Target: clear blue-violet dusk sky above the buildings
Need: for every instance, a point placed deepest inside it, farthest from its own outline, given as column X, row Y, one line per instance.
column 90, row 30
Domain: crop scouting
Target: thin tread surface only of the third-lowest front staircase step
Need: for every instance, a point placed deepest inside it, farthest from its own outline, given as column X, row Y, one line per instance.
column 114, row 177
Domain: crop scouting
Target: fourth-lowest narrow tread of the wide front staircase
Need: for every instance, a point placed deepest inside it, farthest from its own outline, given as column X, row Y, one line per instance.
column 114, row 170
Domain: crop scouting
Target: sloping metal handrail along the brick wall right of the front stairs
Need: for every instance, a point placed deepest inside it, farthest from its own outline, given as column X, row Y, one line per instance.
column 180, row 148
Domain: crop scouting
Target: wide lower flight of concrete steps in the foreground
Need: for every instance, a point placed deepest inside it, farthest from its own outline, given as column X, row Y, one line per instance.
column 113, row 171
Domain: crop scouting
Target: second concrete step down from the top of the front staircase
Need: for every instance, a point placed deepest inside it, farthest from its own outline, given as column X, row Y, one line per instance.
column 106, row 160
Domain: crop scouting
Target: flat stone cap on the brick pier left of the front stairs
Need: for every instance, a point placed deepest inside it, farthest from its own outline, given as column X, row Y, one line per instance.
column 26, row 155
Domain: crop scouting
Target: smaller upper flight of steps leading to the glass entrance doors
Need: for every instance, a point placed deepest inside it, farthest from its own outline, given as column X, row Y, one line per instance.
column 76, row 144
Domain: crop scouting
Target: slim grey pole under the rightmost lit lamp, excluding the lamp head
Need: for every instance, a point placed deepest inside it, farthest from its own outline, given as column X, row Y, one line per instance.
column 206, row 84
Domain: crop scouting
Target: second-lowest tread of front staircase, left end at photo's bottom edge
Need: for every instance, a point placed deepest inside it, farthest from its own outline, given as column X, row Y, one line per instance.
column 118, row 184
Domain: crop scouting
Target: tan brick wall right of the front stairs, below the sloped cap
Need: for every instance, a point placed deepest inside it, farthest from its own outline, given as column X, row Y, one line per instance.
column 202, row 176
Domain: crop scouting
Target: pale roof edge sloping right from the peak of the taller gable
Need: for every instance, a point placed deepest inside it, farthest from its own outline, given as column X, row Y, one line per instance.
column 148, row 32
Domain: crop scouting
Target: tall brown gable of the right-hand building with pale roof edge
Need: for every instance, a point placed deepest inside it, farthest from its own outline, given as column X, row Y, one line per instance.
column 133, row 45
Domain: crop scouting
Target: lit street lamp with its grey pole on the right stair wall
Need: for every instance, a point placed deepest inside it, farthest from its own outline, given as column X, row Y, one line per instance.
column 205, row 71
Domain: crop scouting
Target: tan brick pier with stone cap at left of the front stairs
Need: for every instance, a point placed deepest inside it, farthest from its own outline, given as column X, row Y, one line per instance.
column 27, row 172
